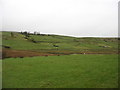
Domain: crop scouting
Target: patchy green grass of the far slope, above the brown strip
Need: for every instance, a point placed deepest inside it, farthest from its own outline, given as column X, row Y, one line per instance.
column 18, row 42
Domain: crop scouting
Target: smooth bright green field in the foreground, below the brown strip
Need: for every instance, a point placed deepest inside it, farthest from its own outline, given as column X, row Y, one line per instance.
column 68, row 71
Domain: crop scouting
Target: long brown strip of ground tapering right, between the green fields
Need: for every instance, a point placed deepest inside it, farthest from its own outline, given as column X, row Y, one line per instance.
column 8, row 53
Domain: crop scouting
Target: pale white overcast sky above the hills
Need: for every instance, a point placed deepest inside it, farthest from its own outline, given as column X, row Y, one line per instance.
column 66, row 17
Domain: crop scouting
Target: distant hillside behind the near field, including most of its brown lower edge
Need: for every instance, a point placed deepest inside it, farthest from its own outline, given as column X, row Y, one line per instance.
column 56, row 44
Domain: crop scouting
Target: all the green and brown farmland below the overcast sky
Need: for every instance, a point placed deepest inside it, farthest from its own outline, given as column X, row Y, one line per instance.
column 55, row 61
